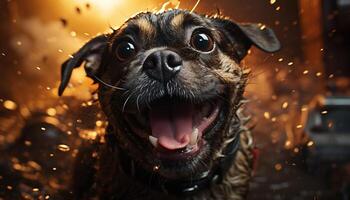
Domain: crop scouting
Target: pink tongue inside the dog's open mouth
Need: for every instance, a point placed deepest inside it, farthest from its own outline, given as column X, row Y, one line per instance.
column 172, row 124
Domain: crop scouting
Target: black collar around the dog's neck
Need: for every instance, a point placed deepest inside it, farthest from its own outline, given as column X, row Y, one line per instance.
column 180, row 187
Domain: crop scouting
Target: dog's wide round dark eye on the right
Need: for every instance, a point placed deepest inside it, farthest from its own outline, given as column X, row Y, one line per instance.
column 202, row 42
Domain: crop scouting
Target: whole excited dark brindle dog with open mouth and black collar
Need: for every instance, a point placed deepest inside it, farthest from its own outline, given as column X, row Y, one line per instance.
column 171, row 86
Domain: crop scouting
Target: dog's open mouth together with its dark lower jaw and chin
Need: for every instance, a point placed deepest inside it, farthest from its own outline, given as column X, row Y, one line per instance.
column 176, row 134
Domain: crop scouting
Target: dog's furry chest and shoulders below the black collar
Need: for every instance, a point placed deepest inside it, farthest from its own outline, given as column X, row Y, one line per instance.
column 113, row 183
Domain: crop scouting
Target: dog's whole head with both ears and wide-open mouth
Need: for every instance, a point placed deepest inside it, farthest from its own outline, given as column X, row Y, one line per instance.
column 170, row 84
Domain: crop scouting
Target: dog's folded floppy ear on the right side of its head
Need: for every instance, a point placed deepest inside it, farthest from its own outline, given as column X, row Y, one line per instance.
column 243, row 36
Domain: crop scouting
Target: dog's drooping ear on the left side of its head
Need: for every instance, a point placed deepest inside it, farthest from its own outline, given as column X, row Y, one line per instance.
column 91, row 53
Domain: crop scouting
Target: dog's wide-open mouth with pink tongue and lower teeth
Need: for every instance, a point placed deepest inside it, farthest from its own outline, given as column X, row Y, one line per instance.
column 175, row 127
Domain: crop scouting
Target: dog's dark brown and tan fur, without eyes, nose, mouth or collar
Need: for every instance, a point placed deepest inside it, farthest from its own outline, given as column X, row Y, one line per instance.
column 204, row 75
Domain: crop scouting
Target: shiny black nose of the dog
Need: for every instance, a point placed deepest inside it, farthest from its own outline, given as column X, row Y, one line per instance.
column 162, row 65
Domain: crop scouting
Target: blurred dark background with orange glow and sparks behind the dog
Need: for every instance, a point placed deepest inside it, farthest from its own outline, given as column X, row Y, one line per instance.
column 37, row 36
